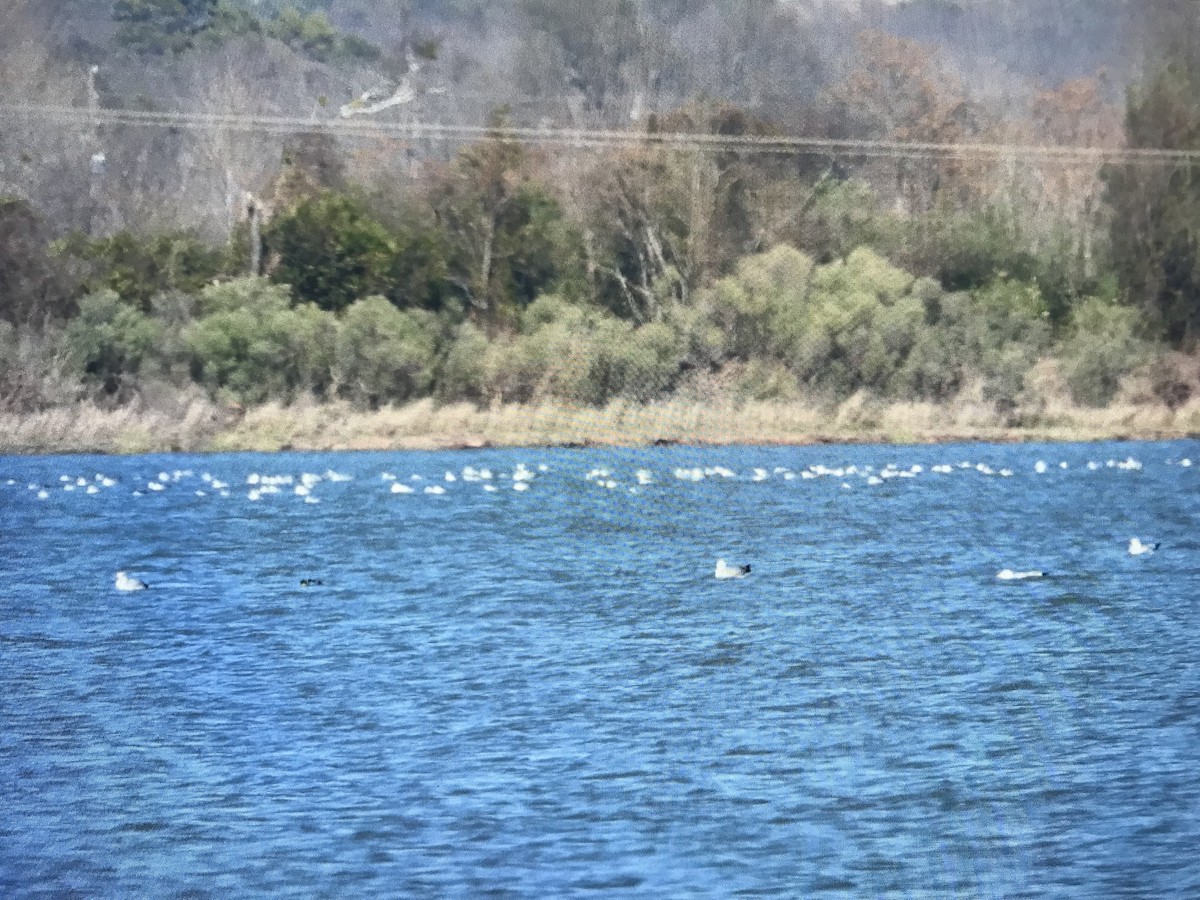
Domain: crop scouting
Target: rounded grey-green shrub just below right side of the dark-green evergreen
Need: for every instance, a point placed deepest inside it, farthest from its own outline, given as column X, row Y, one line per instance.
column 383, row 353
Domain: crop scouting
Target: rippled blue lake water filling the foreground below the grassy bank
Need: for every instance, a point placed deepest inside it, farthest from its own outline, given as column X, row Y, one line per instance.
column 547, row 693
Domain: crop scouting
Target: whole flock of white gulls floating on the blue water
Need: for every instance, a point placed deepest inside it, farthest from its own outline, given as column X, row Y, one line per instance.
column 256, row 488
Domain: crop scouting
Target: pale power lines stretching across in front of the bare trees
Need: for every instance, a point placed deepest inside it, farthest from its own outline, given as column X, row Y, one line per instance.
column 586, row 139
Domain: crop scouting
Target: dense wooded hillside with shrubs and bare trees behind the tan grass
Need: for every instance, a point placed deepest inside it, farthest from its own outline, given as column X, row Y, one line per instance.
column 580, row 201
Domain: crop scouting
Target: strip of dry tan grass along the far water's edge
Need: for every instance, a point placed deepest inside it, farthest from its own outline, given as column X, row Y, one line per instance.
column 199, row 427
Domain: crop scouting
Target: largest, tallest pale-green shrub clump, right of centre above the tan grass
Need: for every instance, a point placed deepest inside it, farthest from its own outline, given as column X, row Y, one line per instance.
column 863, row 325
